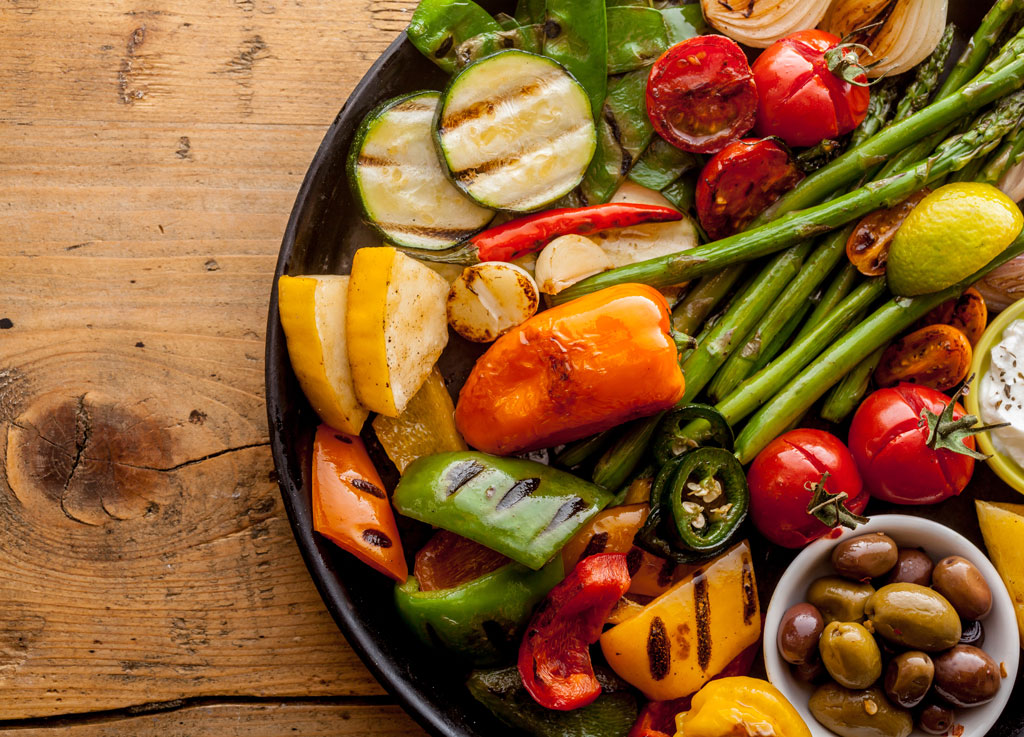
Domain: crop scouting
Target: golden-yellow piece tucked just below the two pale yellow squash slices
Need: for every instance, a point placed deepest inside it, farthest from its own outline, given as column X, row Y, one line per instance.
column 428, row 426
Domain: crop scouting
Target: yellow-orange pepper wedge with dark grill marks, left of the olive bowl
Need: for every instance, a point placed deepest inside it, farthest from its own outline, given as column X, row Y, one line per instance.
column 690, row 634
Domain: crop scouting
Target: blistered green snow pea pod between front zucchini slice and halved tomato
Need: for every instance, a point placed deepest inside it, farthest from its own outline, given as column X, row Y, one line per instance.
column 624, row 131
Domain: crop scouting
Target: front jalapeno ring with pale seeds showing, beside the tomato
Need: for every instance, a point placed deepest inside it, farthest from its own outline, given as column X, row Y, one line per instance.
column 709, row 498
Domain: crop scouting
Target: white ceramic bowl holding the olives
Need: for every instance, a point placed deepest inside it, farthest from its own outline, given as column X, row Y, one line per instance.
column 1002, row 640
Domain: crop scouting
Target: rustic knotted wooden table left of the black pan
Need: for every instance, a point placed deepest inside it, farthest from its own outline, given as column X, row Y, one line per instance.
column 150, row 155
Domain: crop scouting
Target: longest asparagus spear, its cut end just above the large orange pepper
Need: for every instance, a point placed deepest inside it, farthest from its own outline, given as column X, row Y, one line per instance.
column 953, row 155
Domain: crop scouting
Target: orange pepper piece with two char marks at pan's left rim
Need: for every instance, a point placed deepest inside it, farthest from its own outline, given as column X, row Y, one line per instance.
column 351, row 507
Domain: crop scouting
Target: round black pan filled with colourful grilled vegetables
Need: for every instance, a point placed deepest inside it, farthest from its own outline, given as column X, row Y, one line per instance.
column 593, row 314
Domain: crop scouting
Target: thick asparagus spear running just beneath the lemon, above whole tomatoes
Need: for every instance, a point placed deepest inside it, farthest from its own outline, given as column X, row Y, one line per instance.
column 884, row 325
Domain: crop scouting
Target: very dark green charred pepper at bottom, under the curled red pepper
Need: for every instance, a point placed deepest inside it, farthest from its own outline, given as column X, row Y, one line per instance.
column 613, row 715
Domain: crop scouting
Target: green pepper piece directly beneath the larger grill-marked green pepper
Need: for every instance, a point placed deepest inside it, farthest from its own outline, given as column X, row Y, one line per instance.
column 480, row 620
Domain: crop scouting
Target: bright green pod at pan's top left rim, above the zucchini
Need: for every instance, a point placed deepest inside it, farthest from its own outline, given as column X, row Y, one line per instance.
column 439, row 27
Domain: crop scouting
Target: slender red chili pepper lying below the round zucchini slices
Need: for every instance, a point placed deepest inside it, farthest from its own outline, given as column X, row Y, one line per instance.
column 533, row 233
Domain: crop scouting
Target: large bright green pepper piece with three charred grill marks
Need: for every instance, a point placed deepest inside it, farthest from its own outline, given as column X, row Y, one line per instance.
column 525, row 510
